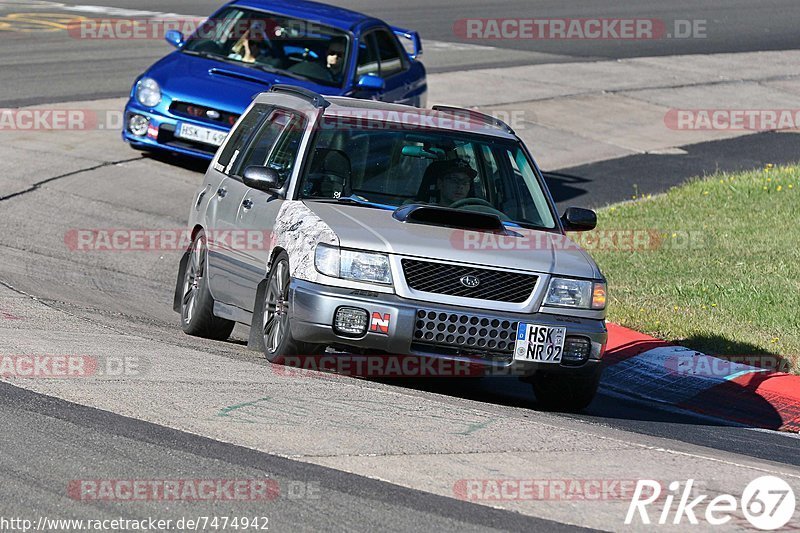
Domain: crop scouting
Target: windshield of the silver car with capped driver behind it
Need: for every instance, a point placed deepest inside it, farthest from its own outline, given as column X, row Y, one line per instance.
column 392, row 167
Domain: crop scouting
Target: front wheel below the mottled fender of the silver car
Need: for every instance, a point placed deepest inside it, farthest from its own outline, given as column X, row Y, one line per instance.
column 276, row 333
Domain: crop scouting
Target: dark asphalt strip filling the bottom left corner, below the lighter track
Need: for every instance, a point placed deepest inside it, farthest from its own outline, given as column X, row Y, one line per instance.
column 350, row 502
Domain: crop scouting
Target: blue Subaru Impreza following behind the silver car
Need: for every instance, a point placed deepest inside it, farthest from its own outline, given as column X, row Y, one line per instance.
column 187, row 102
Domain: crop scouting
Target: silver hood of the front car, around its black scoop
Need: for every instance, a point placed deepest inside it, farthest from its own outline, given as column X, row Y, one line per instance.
column 377, row 230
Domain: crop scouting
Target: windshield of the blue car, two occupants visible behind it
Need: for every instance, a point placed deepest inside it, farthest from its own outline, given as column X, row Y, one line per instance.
column 296, row 47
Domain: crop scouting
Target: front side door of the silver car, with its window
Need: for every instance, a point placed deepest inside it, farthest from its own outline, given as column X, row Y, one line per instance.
column 276, row 146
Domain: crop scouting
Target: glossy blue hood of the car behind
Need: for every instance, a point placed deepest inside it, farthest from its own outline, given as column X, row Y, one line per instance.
column 218, row 84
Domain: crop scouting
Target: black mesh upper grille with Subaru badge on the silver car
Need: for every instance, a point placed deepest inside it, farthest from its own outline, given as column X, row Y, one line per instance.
column 494, row 285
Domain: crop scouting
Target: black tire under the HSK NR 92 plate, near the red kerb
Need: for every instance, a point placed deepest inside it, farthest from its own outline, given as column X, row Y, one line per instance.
column 561, row 392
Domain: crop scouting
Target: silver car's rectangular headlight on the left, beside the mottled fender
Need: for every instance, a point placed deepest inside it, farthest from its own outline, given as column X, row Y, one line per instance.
column 350, row 264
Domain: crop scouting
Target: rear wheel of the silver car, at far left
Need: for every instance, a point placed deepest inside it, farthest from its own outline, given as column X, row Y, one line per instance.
column 197, row 304
